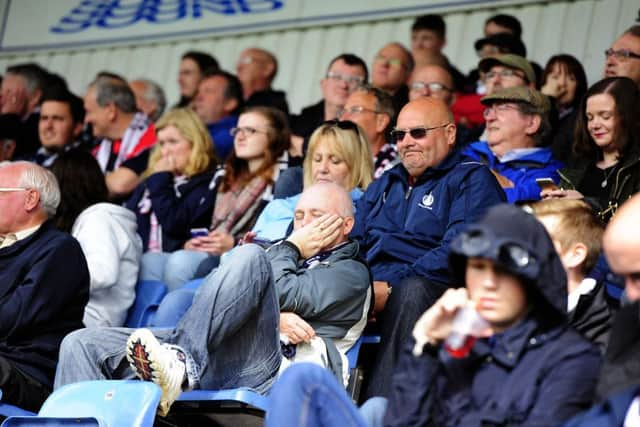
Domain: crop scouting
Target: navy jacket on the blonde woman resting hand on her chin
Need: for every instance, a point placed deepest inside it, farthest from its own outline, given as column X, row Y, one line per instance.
column 190, row 205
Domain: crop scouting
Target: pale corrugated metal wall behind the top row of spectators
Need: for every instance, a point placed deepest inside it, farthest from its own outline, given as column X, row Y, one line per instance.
column 583, row 28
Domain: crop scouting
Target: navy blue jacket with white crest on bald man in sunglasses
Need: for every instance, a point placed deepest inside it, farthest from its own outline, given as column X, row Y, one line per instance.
column 404, row 230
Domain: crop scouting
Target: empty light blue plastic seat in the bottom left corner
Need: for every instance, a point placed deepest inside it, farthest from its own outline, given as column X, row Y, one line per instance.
column 106, row 403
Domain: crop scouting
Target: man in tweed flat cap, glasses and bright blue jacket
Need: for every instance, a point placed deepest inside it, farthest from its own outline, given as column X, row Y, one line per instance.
column 517, row 126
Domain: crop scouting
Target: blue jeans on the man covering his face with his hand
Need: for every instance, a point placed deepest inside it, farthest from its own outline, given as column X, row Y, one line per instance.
column 230, row 331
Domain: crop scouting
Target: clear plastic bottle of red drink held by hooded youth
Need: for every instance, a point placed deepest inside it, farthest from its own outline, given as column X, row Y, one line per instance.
column 466, row 326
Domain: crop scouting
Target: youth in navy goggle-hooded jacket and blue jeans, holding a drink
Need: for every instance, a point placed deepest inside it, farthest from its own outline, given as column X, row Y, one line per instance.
column 523, row 366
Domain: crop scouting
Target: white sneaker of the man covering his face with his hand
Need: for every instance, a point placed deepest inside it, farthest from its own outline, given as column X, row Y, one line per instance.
column 162, row 364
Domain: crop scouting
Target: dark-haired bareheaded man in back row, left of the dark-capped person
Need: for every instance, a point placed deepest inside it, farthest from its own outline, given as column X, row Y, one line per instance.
column 428, row 38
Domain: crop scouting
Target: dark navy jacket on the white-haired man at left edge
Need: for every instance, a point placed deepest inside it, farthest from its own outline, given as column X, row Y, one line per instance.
column 44, row 287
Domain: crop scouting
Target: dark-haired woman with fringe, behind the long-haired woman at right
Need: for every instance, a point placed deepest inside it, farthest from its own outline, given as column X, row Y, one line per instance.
column 565, row 82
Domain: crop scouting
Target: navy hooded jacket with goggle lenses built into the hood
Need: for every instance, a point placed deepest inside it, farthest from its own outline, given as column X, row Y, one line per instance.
column 537, row 372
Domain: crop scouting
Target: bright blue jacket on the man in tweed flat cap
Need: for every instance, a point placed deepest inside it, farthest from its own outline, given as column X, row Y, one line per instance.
column 522, row 171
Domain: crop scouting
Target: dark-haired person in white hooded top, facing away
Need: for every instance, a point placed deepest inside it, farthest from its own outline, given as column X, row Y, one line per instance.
column 106, row 233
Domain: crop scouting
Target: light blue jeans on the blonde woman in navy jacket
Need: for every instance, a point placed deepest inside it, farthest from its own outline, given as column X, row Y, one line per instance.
column 173, row 269
